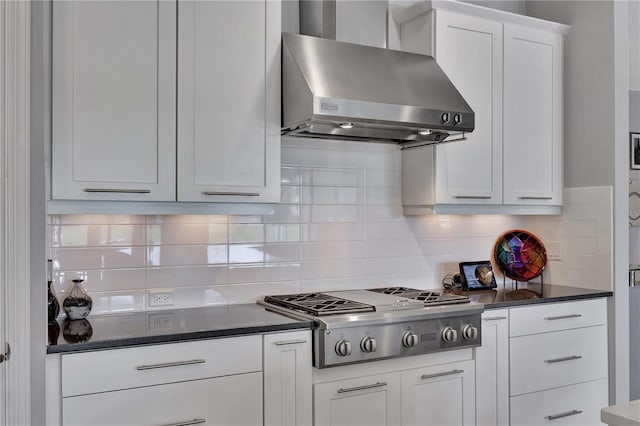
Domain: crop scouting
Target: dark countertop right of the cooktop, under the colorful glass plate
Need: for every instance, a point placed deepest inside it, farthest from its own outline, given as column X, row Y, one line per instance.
column 531, row 294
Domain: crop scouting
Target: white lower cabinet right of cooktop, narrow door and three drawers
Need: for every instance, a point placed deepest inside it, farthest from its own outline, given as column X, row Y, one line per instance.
column 543, row 364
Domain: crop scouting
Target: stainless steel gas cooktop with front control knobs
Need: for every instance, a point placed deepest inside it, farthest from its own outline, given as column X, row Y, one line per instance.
column 368, row 325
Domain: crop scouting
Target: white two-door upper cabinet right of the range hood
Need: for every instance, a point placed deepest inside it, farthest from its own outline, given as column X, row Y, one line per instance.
column 508, row 68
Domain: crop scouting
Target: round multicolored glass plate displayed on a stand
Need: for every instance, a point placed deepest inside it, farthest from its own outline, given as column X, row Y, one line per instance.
column 520, row 255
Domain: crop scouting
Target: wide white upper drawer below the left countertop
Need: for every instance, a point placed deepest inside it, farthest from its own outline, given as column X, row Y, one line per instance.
column 101, row 371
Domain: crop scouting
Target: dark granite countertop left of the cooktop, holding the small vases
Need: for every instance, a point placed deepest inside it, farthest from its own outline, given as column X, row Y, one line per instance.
column 143, row 328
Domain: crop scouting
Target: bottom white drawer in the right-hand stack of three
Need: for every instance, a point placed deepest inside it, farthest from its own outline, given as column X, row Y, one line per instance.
column 570, row 405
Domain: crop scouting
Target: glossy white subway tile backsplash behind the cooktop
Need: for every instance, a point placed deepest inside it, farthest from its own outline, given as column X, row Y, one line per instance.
column 339, row 225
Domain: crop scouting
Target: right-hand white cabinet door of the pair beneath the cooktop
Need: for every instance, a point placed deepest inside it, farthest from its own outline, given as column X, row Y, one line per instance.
column 439, row 396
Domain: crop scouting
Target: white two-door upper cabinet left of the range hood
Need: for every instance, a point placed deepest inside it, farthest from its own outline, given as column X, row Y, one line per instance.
column 166, row 101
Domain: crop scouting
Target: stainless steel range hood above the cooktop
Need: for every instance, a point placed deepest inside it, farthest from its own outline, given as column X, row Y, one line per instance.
column 338, row 90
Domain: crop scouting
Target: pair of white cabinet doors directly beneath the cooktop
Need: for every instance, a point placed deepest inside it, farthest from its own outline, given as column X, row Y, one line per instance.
column 429, row 390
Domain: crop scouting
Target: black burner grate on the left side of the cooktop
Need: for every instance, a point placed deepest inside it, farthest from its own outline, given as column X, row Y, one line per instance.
column 318, row 304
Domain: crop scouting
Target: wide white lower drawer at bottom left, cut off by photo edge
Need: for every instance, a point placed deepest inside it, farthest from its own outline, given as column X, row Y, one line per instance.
column 231, row 400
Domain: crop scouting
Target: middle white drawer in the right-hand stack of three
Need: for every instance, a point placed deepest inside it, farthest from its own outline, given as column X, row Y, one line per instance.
column 549, row 360
